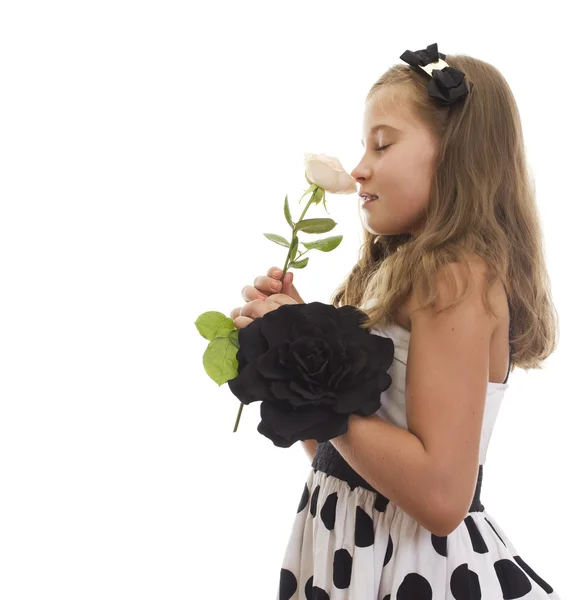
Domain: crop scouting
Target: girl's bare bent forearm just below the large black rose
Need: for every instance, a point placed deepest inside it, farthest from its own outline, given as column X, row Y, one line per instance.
column 394, row 461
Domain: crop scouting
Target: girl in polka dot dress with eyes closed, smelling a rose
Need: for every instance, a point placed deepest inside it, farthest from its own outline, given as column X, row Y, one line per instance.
column 391, row 508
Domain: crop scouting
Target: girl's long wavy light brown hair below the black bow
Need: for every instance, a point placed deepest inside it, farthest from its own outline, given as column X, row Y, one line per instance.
column 482, row 202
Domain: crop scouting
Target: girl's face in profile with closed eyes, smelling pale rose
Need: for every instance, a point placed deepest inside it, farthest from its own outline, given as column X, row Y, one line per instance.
column 397, row 165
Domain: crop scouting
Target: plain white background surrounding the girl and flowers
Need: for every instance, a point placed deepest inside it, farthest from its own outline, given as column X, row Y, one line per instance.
column 145, row 148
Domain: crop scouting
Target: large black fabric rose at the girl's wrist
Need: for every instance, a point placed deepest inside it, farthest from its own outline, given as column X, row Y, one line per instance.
column 311, row 365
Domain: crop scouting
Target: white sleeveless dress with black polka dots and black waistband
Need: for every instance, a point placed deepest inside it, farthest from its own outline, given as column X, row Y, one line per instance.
column 348, row 542
